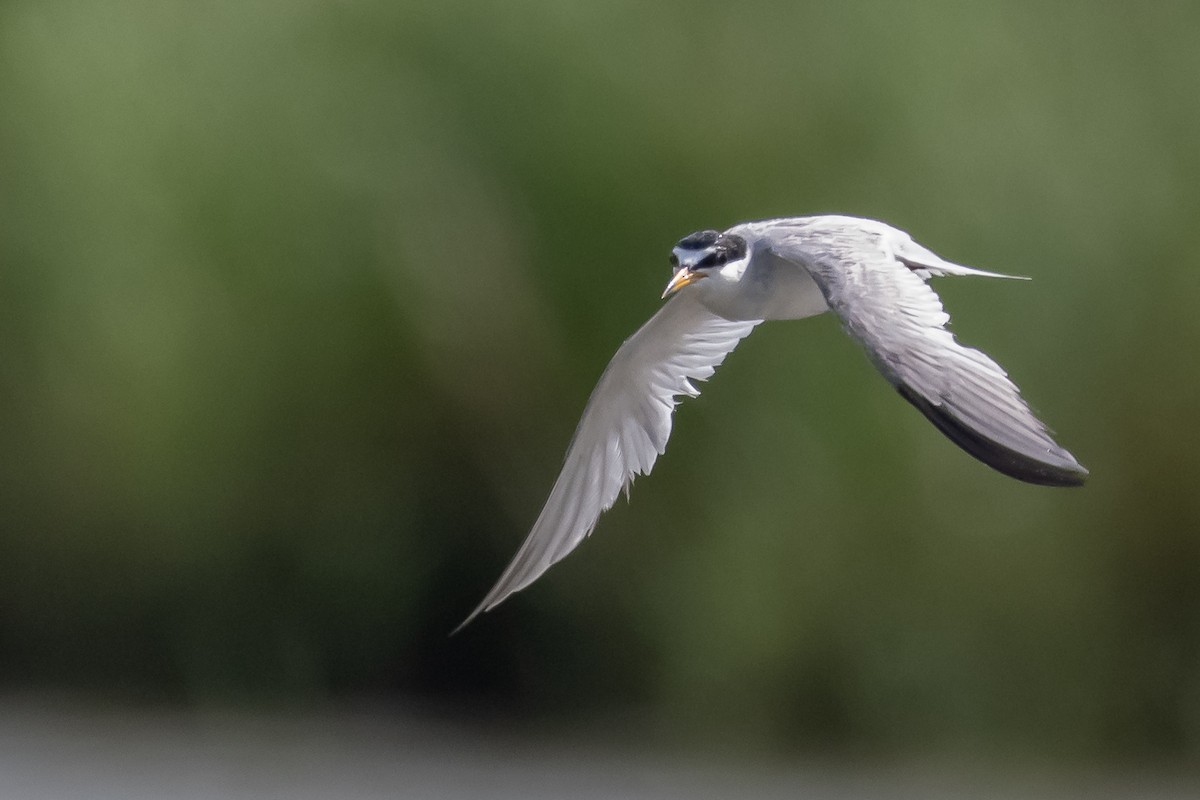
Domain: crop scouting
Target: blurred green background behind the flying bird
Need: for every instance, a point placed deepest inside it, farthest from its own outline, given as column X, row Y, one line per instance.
column 302, row 303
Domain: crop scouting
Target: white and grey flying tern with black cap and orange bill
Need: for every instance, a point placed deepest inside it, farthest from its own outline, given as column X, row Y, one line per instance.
column 875, row 278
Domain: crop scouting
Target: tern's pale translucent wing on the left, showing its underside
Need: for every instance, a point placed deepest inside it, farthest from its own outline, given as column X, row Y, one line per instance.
column 625, row 429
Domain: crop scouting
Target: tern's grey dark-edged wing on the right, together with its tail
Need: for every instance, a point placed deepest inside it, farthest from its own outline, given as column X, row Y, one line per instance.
column 875, row 279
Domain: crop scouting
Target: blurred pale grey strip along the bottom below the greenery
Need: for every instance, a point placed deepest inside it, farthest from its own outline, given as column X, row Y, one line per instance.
column 59, row 751
